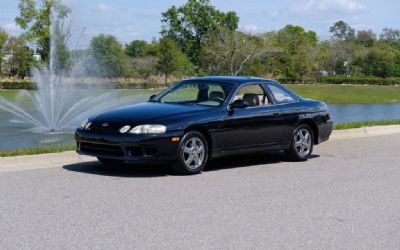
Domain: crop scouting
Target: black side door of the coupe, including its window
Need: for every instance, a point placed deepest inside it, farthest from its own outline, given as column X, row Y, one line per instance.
column 258, row 125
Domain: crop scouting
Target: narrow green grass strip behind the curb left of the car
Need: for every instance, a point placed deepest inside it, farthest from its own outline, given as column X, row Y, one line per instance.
column 36, row 151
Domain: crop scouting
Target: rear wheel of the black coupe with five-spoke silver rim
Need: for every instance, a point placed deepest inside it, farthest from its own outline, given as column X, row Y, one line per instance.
column 302, row 144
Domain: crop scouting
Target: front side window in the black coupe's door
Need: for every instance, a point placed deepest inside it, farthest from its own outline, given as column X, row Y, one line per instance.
column 253, row 94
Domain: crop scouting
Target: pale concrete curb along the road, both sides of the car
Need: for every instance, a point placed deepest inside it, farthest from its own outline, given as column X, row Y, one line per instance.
column 20, row 163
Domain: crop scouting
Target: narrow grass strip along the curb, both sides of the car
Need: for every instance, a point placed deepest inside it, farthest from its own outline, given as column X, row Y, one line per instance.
column 72, row 147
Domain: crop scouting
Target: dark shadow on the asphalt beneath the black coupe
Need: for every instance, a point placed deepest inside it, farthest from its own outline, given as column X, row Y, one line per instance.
column 149, row 171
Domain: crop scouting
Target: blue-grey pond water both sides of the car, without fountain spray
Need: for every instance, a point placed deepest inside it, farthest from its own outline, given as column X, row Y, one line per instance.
column 15, row 135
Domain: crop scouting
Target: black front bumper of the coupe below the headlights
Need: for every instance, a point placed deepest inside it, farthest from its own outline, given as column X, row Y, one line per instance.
column 135, row 148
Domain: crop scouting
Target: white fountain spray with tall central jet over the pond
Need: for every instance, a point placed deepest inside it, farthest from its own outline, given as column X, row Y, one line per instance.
column 58, row 105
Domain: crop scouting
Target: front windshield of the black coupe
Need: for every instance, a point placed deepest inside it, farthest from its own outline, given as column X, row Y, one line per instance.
column 196, row 92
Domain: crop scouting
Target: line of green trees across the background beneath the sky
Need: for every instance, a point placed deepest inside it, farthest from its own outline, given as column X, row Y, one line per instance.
column 198, row 39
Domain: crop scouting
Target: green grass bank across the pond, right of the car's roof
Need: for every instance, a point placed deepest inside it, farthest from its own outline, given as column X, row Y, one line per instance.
column 348, row 93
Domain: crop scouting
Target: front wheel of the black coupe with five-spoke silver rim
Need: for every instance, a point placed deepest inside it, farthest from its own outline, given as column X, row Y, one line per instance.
column 192, row 155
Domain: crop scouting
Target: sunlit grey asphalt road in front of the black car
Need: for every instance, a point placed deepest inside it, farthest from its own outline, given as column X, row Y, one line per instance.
column 346, row 197
